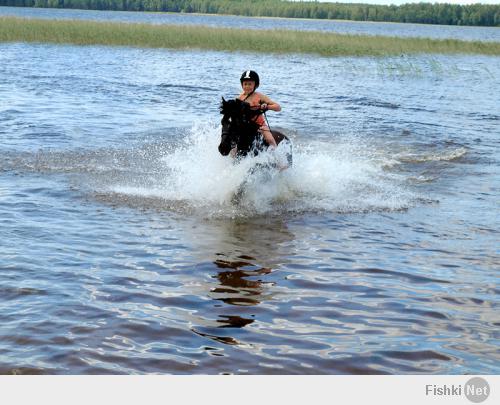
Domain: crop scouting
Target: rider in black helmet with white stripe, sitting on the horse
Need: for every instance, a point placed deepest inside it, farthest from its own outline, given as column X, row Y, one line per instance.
column 249, row 83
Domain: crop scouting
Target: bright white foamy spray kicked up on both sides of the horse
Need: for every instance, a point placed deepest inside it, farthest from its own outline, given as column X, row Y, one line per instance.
column 341, row 176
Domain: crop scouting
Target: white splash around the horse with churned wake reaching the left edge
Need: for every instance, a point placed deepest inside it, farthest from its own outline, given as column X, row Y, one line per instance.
column 186, row 174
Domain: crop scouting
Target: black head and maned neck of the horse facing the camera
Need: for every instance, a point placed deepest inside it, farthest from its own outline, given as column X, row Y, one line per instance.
column 238, row 128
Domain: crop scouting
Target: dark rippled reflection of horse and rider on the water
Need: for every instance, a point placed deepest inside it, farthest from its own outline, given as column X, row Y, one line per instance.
column 247, row 255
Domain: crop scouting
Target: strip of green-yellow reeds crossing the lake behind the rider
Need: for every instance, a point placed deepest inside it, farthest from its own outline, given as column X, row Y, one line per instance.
column 226, row 39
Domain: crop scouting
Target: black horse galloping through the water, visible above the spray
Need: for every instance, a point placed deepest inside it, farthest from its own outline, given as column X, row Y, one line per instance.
column 241, row 131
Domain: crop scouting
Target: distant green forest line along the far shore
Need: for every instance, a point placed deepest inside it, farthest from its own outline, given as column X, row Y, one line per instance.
column 437, row 13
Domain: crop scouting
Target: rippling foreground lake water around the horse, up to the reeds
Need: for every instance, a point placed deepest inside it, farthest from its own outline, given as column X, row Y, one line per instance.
column 121, row 251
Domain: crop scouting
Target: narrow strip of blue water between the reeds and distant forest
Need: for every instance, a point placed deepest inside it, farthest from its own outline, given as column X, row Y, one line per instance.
column 339, row 26
